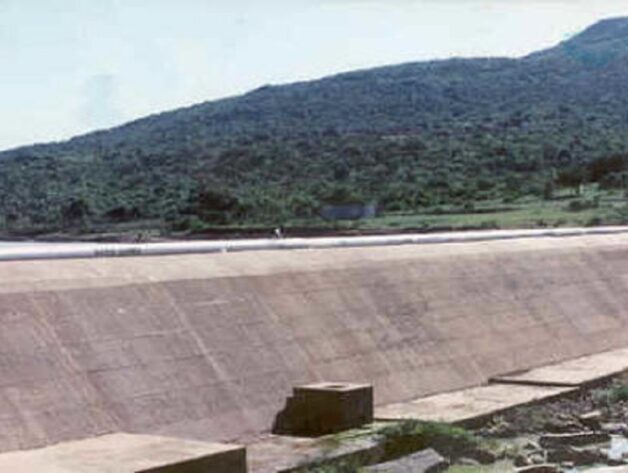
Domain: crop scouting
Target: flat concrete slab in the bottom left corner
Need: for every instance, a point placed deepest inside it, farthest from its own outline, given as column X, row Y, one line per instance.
column 124, row 453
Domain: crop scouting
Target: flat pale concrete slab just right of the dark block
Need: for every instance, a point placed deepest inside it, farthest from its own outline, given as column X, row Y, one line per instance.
column 468, row 406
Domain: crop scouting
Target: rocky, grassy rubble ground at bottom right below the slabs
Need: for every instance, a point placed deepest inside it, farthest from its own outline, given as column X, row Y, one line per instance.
column 582, row 431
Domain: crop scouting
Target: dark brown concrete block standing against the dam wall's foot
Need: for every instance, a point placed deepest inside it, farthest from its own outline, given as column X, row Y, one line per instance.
column 326, row 408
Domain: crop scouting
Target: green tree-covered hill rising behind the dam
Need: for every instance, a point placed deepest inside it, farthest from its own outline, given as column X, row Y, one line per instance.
column 409, row 137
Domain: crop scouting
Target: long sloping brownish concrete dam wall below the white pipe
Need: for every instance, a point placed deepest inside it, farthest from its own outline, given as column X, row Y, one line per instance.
column 209, row 346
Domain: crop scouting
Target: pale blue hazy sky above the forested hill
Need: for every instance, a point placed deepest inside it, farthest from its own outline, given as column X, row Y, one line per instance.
column 73, row 66
